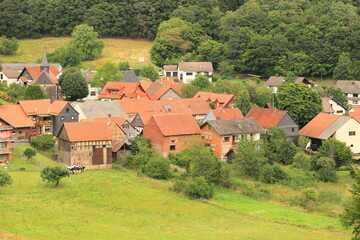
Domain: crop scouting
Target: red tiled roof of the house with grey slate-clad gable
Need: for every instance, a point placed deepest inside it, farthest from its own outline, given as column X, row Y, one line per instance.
column 266, row 117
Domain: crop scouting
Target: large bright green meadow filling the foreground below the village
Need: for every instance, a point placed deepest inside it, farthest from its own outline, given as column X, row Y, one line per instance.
column 109, row 204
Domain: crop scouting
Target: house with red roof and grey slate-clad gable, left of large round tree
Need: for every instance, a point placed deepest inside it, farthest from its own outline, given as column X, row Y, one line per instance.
column 276, row 118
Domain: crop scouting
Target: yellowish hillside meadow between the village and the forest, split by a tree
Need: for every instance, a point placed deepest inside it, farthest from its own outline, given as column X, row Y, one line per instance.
column 115, row 50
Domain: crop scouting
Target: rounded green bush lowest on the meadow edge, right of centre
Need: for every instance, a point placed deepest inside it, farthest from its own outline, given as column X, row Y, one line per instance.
column 199, row 188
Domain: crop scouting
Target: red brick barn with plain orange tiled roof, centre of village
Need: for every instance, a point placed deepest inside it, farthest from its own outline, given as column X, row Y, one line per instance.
column 168, row 133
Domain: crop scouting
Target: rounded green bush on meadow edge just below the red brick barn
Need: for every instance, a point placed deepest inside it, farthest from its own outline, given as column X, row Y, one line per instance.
column 158, row 167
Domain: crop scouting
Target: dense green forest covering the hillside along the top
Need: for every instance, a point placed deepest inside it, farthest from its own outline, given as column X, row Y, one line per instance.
column 265, row 37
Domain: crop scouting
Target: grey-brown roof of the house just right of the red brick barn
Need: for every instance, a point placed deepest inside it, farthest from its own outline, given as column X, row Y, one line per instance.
column 235, row 126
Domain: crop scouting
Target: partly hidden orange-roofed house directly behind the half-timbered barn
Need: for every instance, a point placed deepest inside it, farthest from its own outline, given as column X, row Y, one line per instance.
column 129, row 130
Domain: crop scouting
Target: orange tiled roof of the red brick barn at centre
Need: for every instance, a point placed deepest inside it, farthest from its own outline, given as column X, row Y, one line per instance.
column 177, row 124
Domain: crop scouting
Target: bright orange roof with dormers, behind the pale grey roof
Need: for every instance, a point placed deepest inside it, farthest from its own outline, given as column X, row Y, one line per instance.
column 120, row 90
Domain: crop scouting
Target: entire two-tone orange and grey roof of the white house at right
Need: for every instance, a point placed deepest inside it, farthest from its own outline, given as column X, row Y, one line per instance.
column 323, row 125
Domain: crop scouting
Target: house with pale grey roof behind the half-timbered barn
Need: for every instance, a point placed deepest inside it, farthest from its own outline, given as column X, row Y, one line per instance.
column 96, row 109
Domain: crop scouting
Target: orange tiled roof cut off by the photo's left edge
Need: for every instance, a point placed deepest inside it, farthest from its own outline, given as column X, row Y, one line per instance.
column 15, row 116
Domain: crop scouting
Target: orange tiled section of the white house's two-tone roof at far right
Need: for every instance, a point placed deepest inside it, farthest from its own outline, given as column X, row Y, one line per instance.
column 318, row 125
